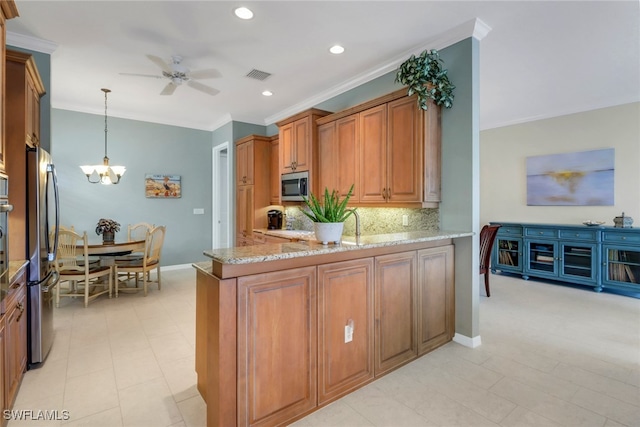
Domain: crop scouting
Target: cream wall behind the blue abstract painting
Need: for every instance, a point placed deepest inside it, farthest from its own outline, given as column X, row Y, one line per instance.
column 503, row 153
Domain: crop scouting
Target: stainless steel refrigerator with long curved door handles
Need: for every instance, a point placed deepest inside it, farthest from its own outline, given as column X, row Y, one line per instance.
column 43, row 214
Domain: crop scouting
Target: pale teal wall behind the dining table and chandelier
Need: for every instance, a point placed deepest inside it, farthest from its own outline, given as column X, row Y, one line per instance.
column 144, row 148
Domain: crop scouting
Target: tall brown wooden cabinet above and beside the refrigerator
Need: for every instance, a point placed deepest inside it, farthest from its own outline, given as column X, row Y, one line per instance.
column 23, row 91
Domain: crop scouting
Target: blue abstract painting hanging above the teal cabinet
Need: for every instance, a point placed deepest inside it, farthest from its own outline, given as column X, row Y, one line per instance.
column 582, row 178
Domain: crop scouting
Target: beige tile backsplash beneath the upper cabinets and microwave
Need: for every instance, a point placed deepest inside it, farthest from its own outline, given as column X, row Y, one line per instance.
column 375, row 220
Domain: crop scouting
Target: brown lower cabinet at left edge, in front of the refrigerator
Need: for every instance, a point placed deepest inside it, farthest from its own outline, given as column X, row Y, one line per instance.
column 15, row 338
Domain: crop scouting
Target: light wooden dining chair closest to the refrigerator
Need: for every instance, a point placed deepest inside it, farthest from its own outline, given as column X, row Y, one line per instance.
column 78, row 271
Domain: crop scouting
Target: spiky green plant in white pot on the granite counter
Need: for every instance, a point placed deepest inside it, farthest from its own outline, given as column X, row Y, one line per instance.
column 328, row 217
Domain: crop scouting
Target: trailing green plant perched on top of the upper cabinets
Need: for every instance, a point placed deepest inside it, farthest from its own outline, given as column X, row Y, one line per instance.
column 426, row 77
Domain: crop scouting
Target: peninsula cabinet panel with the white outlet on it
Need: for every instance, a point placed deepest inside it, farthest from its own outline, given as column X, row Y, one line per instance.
column 345, row 299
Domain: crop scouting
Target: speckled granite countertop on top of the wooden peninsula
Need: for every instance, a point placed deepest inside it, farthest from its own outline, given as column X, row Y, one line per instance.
column 310, row 247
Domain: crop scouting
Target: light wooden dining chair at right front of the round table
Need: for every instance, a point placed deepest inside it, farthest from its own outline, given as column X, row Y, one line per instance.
column 150, row 261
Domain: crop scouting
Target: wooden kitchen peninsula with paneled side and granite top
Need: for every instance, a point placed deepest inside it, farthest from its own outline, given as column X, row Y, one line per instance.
column 282, row 329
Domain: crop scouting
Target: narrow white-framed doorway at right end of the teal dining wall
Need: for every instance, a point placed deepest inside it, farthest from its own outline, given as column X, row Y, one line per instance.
column 221, row 197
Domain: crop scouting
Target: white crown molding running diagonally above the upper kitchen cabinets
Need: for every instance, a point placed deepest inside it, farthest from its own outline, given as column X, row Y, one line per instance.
column 475, row 28
